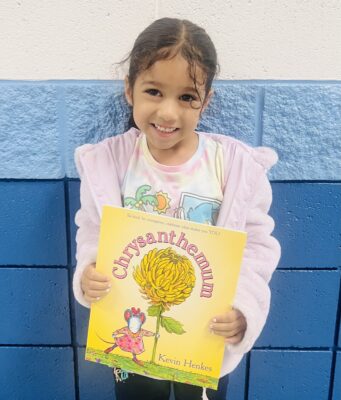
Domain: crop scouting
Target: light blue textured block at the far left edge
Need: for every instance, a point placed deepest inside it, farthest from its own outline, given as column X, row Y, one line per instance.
column 29, row 132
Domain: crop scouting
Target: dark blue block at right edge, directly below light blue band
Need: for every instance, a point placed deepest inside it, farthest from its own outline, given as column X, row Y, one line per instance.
column 308, row 224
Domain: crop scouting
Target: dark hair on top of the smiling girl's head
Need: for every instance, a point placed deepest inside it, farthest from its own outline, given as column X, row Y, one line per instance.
column 167, row 37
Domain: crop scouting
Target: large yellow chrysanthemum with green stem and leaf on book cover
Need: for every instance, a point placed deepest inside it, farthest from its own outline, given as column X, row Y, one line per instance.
column 166, row 278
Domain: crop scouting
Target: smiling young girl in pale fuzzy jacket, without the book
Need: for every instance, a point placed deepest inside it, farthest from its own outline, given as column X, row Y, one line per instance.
column 197, row 176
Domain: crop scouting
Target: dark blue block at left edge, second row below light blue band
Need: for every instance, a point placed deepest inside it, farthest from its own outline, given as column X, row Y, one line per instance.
column 35, row 306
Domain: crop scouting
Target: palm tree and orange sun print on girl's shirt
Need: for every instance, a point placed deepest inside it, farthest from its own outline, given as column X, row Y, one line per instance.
column 159, row 201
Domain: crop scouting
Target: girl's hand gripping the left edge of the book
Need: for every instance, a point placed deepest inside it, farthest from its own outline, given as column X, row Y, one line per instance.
column 94, row 284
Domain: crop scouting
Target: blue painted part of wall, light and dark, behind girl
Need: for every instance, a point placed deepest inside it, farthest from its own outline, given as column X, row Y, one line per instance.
column 43, row 330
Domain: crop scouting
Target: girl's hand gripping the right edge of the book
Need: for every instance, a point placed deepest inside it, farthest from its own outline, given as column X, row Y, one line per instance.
column 231, row 325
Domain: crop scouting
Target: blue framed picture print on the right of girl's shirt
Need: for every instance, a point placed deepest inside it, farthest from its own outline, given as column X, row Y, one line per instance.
column 198, row 209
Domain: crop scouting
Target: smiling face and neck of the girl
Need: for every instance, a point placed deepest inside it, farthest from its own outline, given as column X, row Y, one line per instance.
column 166, row 108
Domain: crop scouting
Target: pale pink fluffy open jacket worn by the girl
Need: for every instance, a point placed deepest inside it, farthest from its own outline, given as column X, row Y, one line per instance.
column 247, row 199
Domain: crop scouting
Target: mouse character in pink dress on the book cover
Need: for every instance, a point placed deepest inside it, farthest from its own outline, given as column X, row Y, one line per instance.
column 130, row 337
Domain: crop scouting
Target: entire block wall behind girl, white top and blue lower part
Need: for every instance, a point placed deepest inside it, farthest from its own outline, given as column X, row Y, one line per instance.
column 294, row 48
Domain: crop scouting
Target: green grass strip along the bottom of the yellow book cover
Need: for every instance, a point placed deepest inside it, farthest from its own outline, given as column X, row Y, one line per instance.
column 150, row 369
